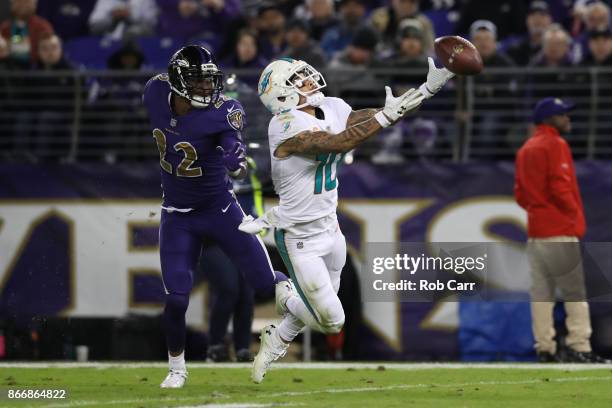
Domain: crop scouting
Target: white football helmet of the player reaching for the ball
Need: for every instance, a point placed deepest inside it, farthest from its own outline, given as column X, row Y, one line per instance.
column 280, row 81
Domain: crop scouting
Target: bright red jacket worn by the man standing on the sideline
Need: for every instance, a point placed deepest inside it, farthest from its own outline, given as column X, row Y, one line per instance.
column 546, row 187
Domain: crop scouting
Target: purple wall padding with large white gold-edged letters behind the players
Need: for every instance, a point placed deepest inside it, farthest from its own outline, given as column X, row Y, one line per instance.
column 80, row 240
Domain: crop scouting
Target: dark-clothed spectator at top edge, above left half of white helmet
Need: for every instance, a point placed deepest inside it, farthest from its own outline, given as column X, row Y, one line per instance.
column 270, row 24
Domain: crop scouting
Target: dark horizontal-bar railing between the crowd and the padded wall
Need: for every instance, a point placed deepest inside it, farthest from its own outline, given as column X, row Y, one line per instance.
column 92, row 115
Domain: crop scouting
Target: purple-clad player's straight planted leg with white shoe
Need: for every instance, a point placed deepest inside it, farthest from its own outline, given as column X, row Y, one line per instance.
column 179, row 252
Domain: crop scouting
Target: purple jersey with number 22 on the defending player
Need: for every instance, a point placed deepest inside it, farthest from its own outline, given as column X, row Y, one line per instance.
column 192, row 170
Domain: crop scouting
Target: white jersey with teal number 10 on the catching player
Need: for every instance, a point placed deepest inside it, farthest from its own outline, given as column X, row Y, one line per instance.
column 307, row 185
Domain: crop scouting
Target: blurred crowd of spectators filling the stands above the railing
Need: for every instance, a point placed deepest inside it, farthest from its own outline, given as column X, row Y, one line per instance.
column 353, row 36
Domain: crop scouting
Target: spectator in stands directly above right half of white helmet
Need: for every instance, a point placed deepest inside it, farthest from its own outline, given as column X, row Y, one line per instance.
column 301, row 47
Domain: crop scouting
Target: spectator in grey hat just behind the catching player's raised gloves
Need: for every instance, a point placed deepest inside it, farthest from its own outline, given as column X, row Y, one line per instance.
column 409, row 54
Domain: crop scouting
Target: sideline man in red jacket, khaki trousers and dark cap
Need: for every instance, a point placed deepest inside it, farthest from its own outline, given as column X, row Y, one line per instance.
column 546, row 187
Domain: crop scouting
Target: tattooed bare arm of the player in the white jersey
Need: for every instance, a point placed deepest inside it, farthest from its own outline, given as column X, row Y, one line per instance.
column 323, row 142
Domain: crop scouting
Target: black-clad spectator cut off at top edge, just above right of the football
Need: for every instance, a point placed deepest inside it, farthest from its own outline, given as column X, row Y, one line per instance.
column 507, row 15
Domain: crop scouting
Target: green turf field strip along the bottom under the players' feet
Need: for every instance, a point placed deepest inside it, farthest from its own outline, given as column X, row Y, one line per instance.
column 359, row 385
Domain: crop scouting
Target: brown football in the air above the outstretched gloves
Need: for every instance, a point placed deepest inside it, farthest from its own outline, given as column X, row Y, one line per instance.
column 458, row 55
